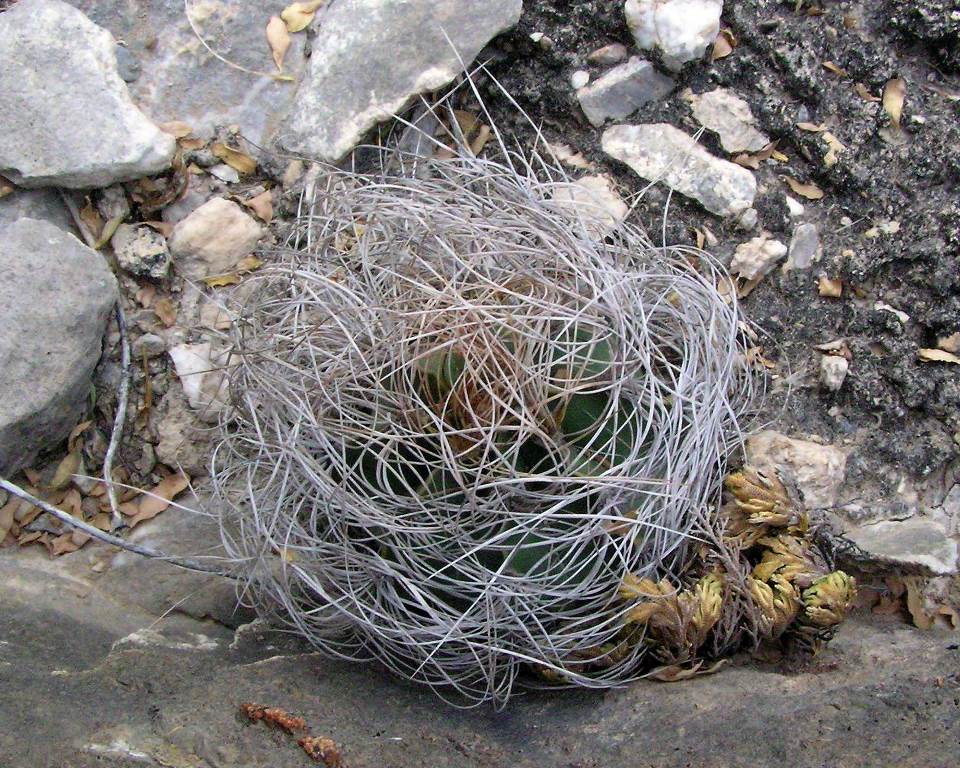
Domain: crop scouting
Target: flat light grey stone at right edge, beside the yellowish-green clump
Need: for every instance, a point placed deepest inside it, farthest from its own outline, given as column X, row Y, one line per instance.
column 918, row 542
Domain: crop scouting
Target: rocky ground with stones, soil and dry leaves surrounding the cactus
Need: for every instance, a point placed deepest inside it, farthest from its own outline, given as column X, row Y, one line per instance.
column 812, row 147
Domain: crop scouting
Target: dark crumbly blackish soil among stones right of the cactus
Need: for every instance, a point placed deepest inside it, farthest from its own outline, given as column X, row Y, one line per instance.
column 901, row 415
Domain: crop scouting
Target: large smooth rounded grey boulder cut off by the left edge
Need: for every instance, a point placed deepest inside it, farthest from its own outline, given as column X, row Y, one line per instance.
column 55, row 297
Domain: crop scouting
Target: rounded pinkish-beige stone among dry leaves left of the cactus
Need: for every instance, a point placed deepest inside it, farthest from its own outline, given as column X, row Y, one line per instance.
column 212, row 239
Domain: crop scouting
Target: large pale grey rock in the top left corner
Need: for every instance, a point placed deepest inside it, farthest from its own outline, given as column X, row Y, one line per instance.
column 68, row 117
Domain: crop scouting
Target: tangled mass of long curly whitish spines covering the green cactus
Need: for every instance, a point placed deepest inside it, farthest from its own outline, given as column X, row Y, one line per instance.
column 384, row 270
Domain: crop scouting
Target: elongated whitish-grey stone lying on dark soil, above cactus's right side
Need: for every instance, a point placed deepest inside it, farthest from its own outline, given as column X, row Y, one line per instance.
column 660, row 152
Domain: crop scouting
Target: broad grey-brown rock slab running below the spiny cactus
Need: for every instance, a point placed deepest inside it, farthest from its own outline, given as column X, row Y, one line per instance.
column 125, row 674
